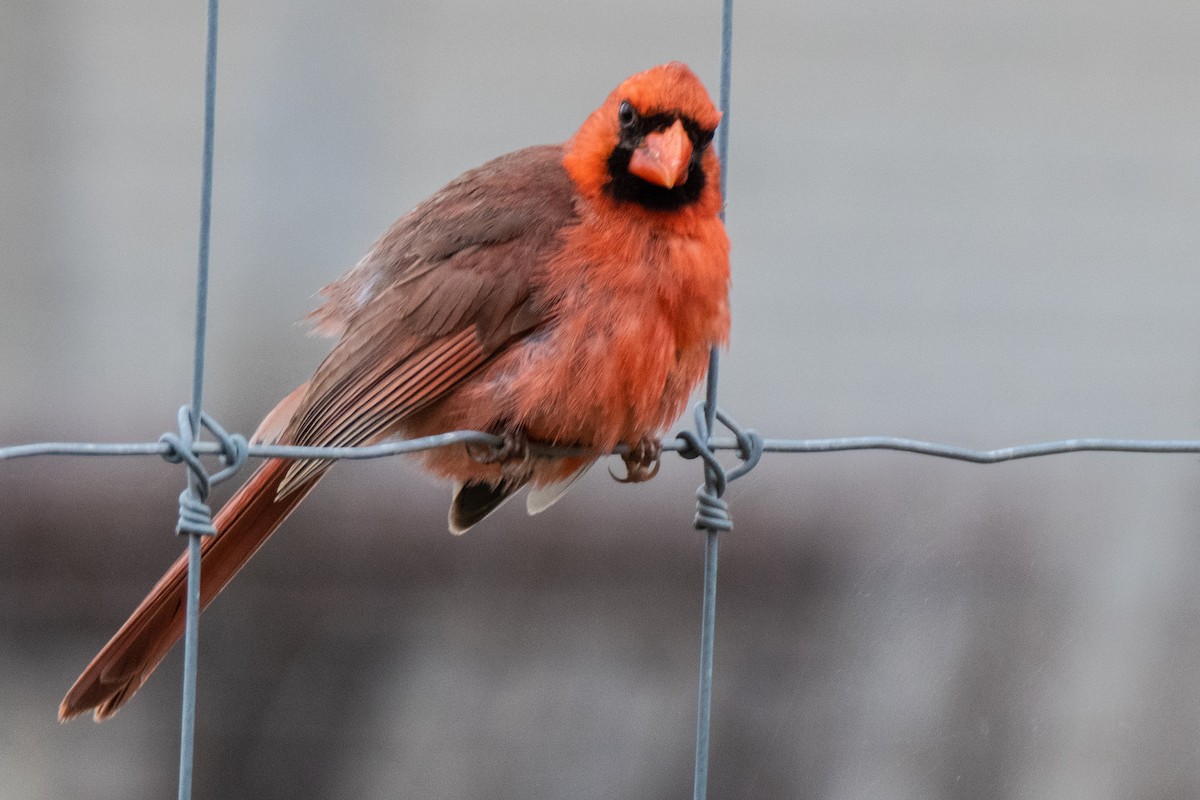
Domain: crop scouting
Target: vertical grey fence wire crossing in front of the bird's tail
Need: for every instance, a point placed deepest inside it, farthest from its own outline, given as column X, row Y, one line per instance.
column 193, row 615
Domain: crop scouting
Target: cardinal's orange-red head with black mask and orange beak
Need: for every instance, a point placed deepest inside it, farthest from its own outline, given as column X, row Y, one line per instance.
column 650, row 145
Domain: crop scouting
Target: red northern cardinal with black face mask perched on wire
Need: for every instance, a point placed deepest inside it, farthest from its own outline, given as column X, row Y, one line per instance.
column 562, row 294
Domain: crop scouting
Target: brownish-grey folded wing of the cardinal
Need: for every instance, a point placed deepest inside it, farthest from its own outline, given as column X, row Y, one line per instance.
column 446, row 290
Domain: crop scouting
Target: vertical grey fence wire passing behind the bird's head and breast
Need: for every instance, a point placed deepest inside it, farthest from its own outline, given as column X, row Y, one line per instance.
column 712, row 536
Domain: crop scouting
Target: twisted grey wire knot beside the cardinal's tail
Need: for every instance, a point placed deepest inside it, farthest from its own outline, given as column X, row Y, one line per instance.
column 195, row 516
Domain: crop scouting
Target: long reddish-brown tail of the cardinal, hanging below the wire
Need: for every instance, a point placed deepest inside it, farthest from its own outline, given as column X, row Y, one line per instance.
column 129, row 659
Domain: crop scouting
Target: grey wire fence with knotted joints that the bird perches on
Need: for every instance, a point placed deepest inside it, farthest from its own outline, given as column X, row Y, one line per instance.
column 713, row 516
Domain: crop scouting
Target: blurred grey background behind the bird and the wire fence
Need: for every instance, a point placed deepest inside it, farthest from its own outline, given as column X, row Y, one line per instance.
column 968, row 222
